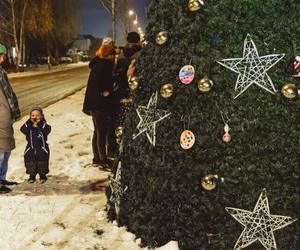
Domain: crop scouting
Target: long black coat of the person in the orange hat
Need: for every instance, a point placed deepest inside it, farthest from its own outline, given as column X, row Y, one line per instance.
column 100, row 80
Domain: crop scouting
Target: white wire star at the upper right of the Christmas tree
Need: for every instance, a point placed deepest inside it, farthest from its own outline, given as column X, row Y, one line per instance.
column 252, row 68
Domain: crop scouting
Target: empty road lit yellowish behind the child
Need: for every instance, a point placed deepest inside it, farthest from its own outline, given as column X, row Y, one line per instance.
column 43, row 90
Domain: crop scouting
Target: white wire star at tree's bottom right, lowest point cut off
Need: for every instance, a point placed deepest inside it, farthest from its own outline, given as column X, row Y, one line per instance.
column 259, row 224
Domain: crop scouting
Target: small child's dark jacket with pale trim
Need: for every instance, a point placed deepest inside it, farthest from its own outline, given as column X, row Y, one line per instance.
column 37, row 148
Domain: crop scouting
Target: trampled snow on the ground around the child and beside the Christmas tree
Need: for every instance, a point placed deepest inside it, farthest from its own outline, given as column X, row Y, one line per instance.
column 68, row 211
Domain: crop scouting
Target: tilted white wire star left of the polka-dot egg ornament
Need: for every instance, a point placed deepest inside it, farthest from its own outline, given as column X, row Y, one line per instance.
column 149, row 117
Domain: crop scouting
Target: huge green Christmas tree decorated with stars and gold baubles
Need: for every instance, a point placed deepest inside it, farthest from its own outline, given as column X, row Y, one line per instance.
column 236, row 168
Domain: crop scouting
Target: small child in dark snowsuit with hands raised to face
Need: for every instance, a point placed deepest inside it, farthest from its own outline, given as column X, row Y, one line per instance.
column 36, row 155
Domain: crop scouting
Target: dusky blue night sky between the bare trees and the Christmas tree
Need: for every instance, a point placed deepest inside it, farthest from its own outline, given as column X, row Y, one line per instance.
column 96, row 21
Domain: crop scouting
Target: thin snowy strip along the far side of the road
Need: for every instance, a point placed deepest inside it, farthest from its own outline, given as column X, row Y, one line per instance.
column 43, row 69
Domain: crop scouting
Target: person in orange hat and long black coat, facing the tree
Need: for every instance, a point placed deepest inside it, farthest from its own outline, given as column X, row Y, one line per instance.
column 99, row 103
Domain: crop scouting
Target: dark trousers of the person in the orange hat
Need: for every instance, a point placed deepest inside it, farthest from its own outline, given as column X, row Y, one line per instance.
column 104, row 138
